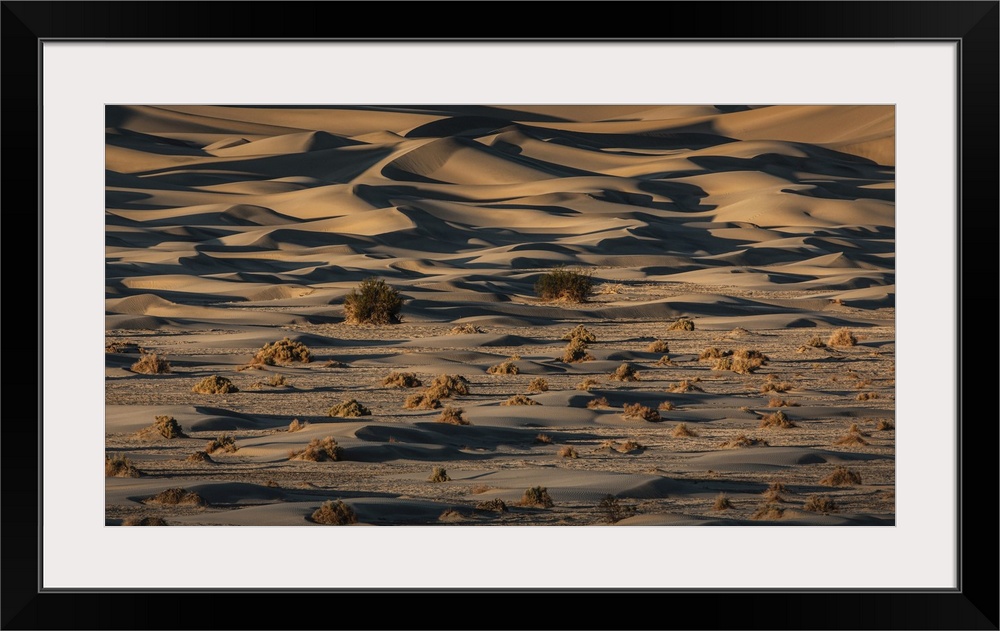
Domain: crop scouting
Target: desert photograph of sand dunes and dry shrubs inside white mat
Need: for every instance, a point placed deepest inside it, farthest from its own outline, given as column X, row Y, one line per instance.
column 593, row 315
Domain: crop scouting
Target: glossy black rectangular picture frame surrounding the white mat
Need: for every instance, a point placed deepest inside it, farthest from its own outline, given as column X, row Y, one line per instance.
column 973, row 605
